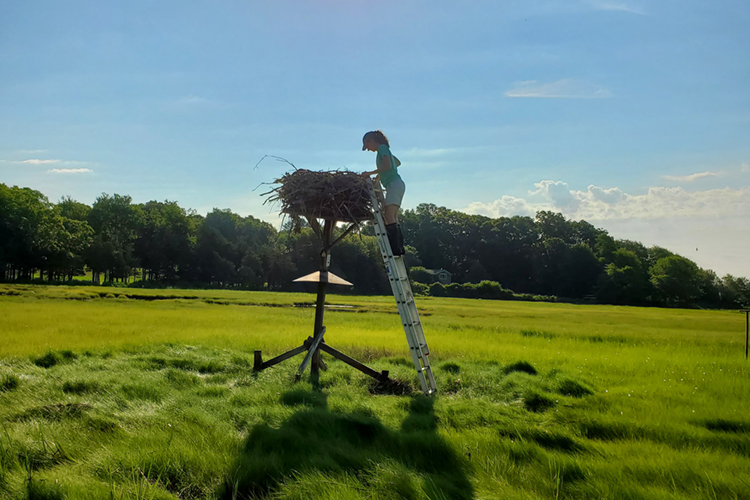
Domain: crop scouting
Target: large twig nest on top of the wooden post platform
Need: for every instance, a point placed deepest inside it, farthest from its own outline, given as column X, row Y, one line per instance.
column 334, row 194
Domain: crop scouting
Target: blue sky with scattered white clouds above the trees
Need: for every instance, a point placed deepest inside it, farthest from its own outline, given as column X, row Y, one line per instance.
column 632, row 115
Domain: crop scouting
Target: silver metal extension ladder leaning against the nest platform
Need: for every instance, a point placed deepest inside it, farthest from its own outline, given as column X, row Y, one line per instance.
column 407, row 309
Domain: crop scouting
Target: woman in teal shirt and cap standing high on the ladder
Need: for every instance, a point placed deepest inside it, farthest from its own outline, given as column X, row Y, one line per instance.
column 387, row 169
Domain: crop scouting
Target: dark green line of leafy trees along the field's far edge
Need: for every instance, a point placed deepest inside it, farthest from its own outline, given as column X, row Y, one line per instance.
column 161, row 243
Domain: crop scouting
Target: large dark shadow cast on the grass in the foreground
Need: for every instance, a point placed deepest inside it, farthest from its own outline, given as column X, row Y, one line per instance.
column 317, row 440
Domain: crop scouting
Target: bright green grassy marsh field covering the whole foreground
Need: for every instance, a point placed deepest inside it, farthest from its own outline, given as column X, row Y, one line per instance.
column 118, row 393
